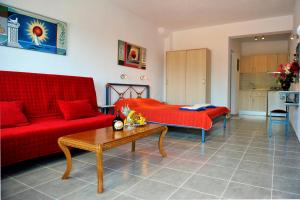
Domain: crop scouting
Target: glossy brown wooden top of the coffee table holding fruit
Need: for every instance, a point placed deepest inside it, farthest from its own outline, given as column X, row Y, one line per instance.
column 106, row 135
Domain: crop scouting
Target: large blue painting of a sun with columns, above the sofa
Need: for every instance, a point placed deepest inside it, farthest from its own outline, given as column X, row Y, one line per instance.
column 26, row 30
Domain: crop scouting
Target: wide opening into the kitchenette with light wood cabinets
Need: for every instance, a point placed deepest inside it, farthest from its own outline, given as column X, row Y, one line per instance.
column 252, row 63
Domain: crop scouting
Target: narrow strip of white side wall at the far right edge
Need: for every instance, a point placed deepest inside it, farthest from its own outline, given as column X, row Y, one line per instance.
column 295, row 111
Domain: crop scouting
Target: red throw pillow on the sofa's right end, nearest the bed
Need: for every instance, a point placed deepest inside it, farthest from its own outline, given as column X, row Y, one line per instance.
column 76, row 109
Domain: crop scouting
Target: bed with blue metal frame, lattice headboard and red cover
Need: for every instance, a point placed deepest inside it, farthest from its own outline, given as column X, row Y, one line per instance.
column 137, row 98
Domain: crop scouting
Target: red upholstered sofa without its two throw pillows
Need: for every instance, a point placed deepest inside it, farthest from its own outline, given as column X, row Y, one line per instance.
column 39, row 94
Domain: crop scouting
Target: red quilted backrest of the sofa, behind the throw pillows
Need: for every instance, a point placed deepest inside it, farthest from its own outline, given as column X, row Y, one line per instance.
column 40, row 92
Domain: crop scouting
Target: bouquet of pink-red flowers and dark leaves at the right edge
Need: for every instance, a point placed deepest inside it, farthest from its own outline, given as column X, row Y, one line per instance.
column 286, row 74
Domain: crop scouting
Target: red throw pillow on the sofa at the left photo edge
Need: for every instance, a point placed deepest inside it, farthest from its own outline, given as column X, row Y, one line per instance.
column 11, row 114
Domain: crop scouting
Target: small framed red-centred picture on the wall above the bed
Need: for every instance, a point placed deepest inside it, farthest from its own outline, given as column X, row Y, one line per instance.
column 131, row 55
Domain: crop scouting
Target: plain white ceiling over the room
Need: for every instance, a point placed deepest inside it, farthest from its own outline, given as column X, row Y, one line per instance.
column 182, row 14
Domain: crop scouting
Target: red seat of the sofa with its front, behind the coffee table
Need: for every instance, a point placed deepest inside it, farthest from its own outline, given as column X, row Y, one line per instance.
column 40, row 137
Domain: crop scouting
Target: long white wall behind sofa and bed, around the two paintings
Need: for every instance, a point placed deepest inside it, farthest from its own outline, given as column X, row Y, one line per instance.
column 94, row 29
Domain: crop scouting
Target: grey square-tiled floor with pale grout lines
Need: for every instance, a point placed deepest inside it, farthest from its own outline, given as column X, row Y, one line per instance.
column 239, row 162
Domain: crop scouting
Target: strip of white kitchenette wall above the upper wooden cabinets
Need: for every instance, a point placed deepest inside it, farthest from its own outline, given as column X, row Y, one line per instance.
column 264, row 47
